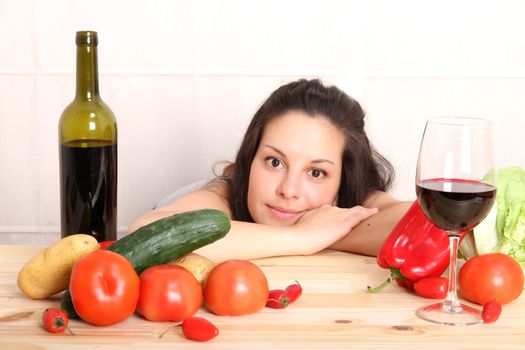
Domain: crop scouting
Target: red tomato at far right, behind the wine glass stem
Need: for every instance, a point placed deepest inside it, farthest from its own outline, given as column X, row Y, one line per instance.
column 489, row 277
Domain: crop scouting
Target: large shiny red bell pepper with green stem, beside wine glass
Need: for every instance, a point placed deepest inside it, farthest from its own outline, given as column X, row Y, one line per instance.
column 415, row 249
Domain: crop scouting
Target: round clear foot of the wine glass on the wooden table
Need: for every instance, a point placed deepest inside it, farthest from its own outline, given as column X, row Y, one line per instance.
column 437, row 313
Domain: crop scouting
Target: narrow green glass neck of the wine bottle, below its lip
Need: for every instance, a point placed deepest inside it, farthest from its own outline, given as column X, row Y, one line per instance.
column 87, row 73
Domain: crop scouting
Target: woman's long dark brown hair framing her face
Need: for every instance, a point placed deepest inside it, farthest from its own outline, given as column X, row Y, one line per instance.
column 364, row 169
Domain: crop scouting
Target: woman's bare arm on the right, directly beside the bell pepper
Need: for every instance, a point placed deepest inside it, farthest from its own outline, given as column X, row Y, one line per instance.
column 368, row 236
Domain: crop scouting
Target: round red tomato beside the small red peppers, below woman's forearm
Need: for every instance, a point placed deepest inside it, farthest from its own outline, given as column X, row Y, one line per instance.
column 235, row 287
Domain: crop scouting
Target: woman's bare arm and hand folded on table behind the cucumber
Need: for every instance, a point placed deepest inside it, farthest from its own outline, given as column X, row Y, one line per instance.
column 316, row 230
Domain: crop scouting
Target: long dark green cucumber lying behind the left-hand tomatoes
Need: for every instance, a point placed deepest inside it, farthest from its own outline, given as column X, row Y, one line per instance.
column 172, row 237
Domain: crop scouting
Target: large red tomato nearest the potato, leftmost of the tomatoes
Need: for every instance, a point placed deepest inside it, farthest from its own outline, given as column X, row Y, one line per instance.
column 104, row 288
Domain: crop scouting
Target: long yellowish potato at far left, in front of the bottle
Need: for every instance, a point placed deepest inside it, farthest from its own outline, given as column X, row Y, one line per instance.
column 48, row 272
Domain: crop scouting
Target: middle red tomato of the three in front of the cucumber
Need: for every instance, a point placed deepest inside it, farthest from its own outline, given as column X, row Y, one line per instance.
column 168, row 293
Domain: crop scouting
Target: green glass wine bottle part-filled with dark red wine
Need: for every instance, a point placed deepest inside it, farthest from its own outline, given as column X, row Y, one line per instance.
column 88, row 153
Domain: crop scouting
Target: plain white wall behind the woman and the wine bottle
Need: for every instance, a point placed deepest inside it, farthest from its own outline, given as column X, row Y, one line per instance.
column 184, row 78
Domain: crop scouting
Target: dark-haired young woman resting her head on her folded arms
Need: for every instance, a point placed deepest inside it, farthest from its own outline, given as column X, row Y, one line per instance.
column 305, row 178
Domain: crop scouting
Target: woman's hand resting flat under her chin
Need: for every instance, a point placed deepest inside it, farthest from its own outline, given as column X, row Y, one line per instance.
column 319, row 228
